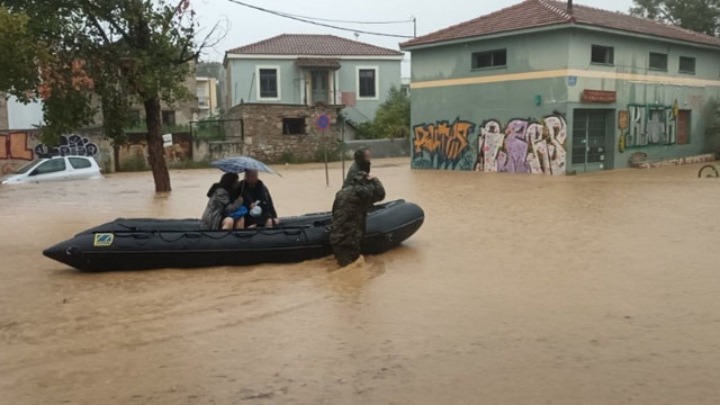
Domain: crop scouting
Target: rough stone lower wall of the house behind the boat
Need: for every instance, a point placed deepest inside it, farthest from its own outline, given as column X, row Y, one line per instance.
column 261, row 131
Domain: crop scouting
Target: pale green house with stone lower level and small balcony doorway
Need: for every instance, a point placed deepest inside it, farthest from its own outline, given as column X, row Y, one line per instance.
column 276, row 86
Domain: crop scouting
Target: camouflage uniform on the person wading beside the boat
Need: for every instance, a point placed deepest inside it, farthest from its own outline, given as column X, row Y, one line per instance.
column 349, row 216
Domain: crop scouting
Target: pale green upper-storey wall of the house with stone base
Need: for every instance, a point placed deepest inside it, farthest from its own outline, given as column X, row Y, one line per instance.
column 243, row 83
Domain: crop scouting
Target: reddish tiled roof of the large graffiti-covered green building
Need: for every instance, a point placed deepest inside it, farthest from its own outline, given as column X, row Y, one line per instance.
column 542, row 13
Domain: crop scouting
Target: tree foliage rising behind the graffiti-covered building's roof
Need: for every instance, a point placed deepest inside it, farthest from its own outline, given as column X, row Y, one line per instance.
column 697, row 15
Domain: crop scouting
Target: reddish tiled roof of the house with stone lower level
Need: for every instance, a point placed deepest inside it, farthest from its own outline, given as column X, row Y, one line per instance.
column 317, row 45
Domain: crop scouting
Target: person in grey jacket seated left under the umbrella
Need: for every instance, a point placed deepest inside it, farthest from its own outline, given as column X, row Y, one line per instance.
column 225, row 209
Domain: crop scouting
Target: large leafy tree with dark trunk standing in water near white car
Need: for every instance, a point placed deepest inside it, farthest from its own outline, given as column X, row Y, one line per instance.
column 108, row 55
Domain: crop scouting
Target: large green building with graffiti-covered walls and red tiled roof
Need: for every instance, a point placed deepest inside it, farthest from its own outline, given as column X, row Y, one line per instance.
column 550, row 87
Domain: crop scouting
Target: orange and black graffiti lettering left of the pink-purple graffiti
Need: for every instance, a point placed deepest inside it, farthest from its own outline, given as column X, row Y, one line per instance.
column 442, row 142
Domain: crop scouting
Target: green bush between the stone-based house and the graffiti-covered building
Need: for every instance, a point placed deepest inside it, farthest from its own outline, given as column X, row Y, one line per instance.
column 392, row 119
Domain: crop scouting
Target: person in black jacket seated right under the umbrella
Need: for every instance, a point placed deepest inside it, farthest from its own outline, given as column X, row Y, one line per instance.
column 258, row 201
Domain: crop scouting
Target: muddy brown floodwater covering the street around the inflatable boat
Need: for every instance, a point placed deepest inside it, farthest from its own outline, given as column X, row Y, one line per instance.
column 596, row 289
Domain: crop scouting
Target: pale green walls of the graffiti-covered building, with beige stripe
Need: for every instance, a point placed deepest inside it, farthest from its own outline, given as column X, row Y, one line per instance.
column 520, row 118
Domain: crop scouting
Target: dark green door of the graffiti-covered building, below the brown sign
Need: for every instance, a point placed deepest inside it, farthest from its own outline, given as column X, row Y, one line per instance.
column 591, row 144
